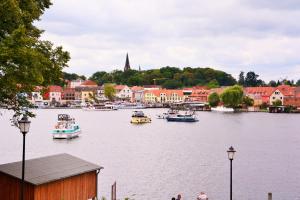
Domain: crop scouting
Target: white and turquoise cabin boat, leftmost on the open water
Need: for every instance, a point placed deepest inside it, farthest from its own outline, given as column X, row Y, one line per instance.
column 65, row 128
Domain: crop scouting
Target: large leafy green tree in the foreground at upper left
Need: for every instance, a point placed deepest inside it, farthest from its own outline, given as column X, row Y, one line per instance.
column 25, row 60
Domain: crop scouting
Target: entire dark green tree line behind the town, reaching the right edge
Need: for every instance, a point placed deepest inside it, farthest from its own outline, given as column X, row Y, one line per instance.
column 173, row 77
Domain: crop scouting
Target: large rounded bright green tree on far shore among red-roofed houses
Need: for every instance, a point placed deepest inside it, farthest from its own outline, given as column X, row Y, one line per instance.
column 232, row 96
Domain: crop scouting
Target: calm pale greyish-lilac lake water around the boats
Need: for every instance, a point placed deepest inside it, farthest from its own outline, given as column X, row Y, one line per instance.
column 159, row 160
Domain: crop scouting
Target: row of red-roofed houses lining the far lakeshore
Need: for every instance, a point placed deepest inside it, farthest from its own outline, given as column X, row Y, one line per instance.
column 79, row 93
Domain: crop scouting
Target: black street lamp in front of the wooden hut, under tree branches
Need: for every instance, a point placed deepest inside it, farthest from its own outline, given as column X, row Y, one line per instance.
column 24, row 125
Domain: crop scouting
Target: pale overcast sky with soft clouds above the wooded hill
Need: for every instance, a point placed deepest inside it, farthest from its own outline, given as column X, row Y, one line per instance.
column 229, row 35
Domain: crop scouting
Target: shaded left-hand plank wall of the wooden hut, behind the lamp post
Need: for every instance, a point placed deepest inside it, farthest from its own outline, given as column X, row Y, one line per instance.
column 10, row 188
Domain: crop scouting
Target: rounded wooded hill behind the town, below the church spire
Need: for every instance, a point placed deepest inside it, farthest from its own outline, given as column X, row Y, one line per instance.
column 168, row 77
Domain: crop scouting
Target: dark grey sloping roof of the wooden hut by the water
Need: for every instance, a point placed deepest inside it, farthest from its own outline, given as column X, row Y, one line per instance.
column 50, row 168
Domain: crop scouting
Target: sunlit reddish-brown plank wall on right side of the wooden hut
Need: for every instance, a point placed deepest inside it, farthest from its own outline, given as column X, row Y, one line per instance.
column 80, row 187
